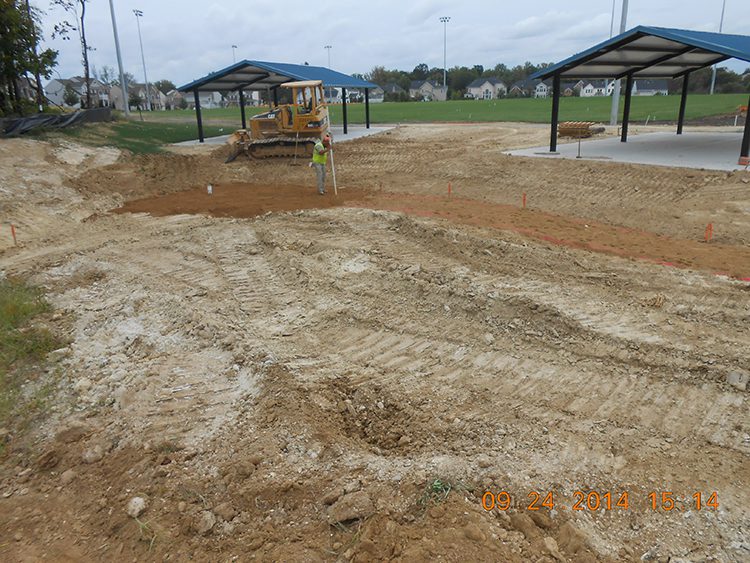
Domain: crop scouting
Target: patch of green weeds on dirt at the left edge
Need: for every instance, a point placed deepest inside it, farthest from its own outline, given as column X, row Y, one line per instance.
column 22, row 347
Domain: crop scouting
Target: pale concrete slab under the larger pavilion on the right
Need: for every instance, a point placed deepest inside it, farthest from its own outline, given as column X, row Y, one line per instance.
column 694, row 149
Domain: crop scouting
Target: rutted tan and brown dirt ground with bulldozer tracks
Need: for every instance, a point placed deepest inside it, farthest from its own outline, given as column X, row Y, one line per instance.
column 284, row 376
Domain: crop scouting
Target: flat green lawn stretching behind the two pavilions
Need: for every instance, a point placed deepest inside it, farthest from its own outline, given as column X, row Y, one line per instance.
column 662, row 108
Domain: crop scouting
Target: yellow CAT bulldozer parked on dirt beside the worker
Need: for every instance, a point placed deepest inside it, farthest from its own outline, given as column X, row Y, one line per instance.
column 287, row 130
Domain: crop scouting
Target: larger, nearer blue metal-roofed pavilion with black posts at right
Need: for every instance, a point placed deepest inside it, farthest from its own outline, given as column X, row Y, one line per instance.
column 649, row 52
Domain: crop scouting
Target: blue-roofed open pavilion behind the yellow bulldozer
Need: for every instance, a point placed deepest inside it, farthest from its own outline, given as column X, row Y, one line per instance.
column 260, row 75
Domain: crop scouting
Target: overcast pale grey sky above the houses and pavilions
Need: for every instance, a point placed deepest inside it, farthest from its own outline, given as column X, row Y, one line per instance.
column 186, row 39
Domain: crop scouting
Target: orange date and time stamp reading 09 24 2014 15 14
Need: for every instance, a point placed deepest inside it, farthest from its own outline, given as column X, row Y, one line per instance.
column 662, row 501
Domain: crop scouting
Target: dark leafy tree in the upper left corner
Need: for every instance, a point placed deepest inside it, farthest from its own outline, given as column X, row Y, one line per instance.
column 19, row 39
